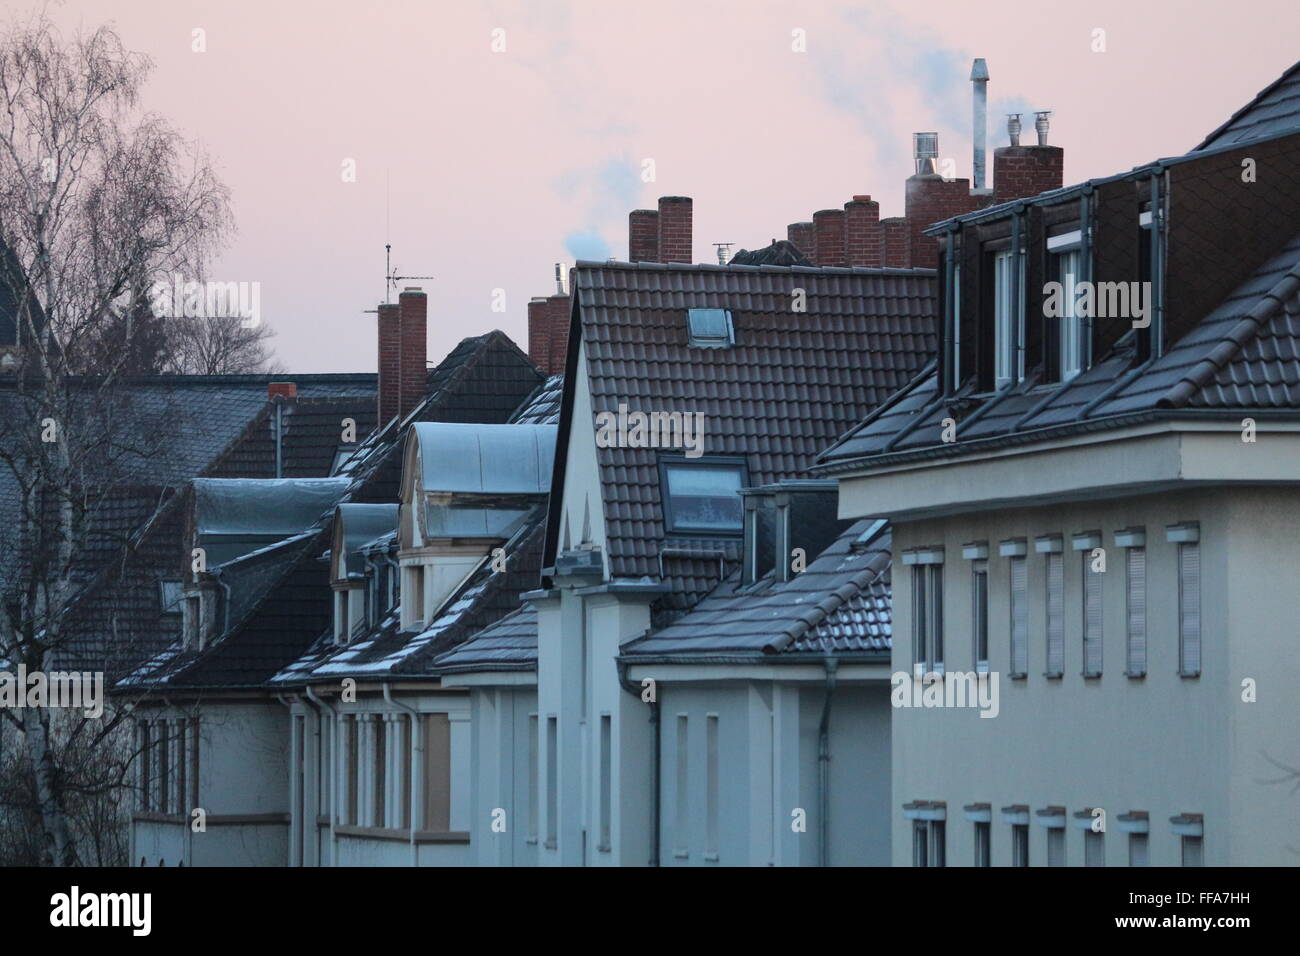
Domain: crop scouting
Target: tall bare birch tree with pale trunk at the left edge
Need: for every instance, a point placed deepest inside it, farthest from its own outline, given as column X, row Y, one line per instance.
column 97, row 198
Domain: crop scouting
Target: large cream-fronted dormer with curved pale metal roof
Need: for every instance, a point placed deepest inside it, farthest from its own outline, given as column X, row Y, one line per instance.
column 466, row 490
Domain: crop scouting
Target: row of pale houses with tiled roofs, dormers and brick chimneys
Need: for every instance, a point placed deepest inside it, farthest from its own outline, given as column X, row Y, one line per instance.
column 861, row 548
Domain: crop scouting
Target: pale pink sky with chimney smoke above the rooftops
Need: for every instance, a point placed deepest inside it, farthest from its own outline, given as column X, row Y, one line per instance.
column 500, row 165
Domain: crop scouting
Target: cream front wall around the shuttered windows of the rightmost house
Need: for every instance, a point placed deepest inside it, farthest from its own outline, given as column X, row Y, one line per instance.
column 1162, row 745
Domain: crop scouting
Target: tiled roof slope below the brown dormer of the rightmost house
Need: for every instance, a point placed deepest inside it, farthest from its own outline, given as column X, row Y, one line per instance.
column 1245, row 356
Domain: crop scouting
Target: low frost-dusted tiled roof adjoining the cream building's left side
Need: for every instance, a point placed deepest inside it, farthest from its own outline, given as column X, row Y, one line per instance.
column 839, row 604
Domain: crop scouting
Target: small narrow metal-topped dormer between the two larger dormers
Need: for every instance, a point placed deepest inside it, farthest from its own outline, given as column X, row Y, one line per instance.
column 356, row 578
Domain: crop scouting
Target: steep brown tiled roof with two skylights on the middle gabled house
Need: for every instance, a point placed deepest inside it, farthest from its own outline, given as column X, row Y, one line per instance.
column 791, row 386
